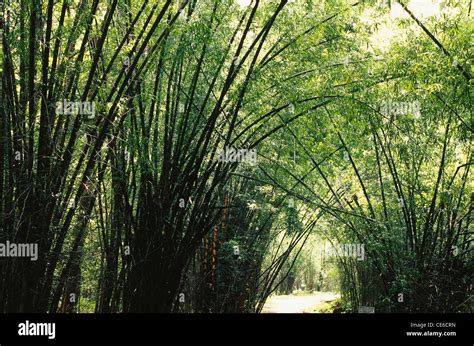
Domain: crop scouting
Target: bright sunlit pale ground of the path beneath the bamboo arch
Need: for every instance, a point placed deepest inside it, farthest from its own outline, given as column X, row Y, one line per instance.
column 307, row 303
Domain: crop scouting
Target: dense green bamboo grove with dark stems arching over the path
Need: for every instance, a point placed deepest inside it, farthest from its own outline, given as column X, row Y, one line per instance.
column 133, row 211
